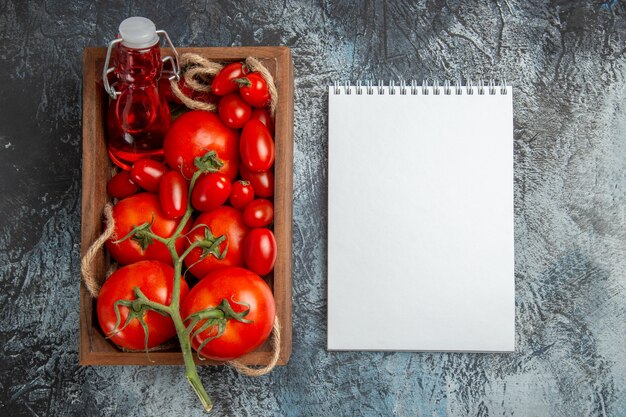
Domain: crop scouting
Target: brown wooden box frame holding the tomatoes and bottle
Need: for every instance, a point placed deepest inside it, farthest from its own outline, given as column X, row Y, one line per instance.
column 96, row 169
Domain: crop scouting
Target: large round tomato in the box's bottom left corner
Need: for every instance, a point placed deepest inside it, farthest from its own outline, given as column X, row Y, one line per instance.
column 156, row 282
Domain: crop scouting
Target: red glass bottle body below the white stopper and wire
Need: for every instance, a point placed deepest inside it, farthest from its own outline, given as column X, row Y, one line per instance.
column 139, row 117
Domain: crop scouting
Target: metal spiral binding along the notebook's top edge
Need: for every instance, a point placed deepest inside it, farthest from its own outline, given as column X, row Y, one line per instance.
column 427, row 87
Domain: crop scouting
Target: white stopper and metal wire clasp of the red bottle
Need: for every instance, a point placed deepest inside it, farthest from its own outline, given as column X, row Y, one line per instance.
column 138, row 33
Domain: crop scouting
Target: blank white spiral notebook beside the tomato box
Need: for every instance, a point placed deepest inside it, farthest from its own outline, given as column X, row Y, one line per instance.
column 420, row 218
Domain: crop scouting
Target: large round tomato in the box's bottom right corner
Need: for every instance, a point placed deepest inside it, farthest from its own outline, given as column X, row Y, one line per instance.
column 243, row 290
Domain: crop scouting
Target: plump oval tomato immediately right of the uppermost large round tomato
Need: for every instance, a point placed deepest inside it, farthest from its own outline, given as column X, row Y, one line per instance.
column 256, row 147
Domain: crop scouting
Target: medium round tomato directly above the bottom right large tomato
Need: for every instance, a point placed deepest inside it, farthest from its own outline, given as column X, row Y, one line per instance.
column 221, row 221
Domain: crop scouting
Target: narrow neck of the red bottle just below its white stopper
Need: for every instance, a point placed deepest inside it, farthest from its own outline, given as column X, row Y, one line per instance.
column 138, row 66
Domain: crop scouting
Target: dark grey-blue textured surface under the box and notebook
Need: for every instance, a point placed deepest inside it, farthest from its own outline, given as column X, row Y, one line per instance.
column 566, row 61
